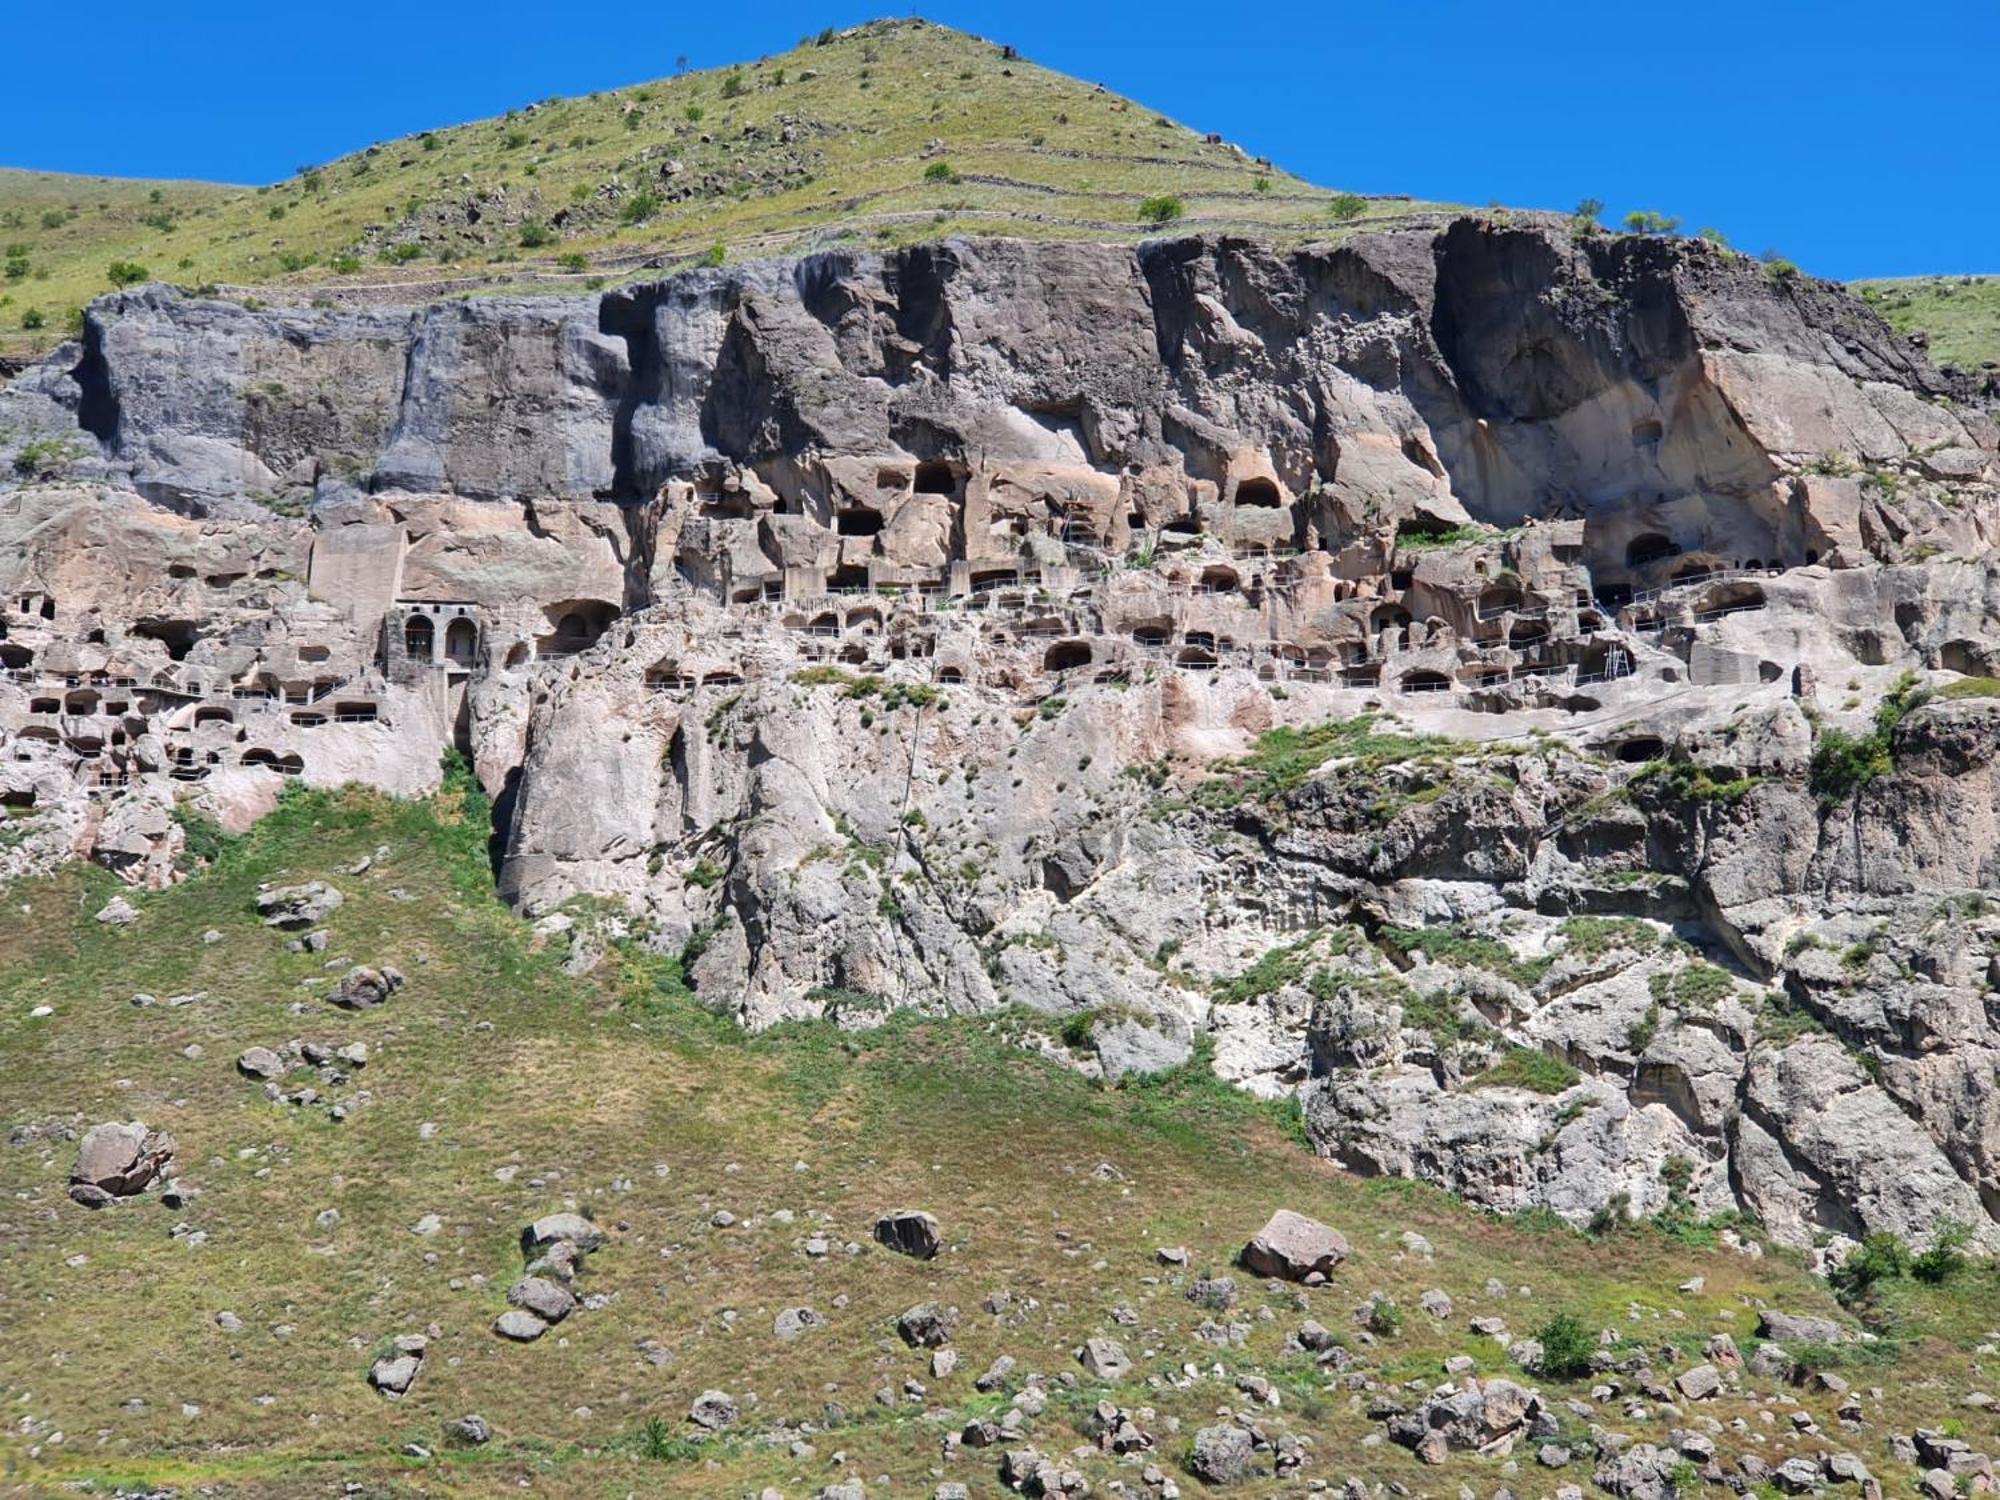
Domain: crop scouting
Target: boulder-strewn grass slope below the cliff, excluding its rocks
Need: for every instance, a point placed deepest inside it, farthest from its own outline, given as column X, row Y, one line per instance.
column 505, row 1089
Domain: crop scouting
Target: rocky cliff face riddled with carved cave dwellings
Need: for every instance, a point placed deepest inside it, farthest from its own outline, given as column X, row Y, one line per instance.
column 1431, row 675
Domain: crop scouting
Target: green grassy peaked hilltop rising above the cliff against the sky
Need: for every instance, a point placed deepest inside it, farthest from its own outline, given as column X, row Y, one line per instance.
column 889, row 133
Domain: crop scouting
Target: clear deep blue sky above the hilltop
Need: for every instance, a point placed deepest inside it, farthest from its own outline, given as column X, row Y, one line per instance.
column 1857, row 139
